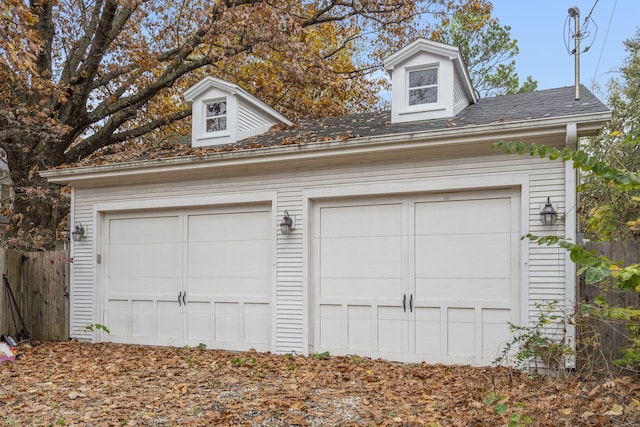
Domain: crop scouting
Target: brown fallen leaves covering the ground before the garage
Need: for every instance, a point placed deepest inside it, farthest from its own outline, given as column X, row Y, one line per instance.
column 74, row 383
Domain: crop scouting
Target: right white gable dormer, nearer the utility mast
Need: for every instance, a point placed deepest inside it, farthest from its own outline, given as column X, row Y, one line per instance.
column 429, row 80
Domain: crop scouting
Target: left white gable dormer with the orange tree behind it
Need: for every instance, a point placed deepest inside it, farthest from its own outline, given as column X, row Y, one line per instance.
column 224, row 113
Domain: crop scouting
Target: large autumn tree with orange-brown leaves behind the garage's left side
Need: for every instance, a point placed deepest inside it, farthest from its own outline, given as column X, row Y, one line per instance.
column 77, row 76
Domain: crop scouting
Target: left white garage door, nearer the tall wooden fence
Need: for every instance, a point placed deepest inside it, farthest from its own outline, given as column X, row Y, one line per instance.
column 185, row 278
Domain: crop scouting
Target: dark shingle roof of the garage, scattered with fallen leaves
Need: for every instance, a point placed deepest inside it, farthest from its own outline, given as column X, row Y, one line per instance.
column 551, row 103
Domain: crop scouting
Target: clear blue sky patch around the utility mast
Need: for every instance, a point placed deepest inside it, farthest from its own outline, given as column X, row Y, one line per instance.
column 539, row 28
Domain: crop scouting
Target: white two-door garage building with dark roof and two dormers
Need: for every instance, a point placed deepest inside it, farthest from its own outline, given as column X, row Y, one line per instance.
column 406, row 235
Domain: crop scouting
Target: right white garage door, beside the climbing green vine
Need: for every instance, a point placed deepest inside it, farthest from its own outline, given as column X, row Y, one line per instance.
column 431, row 277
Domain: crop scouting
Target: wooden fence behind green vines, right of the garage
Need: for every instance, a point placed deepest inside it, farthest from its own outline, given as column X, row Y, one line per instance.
column 611, row 336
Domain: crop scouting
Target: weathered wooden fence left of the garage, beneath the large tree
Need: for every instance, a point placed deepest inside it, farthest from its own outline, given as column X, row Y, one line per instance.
column 40, row 284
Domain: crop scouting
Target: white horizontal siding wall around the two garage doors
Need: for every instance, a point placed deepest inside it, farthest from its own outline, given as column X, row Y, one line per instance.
column 544, row 279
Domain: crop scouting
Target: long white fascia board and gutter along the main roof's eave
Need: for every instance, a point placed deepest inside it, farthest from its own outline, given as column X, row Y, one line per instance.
column 126, row 172
